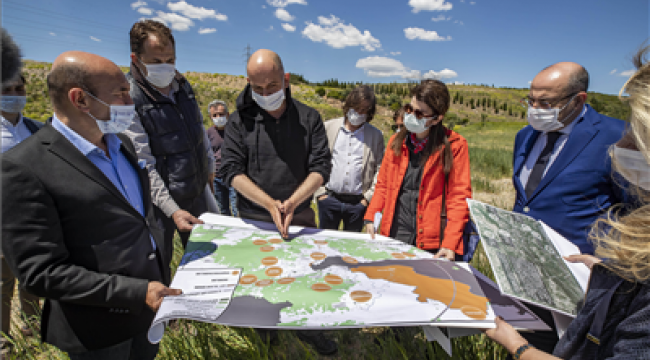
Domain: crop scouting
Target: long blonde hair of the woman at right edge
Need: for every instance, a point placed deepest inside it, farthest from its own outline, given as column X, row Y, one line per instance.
column 624, row 241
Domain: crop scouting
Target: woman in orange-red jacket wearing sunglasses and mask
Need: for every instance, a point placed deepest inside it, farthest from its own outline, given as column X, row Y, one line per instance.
column 411, row 180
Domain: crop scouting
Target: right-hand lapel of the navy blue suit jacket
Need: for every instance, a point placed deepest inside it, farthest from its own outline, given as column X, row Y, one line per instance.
column 581, row 135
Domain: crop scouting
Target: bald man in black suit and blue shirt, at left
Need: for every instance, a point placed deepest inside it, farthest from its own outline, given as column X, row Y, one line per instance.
column 78, row 226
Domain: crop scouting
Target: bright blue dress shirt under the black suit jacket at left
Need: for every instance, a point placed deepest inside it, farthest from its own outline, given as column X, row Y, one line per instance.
column 117, row 169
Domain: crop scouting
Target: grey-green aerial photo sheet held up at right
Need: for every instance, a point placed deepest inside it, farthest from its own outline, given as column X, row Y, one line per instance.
column 525, row 262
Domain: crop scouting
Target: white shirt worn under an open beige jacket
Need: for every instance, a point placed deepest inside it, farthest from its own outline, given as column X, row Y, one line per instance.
column 347, row 162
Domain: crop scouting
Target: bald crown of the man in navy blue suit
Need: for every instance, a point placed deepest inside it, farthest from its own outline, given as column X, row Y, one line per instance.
column 564, row 77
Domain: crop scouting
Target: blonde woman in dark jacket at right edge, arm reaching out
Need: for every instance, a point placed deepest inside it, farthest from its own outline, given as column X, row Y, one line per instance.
column 614, row 322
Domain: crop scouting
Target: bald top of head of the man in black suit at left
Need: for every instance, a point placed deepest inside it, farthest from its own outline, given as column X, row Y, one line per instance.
column 78, row 69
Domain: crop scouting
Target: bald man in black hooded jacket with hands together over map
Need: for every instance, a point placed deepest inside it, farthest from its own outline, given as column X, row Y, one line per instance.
column 276, row 155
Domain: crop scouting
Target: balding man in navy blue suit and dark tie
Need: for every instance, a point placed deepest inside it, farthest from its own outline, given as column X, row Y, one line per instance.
column 561, row 170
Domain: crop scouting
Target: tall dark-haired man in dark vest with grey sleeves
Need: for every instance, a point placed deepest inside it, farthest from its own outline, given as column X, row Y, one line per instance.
column 168, row 131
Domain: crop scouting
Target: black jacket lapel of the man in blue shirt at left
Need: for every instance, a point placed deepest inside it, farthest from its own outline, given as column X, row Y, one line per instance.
column 61, row 147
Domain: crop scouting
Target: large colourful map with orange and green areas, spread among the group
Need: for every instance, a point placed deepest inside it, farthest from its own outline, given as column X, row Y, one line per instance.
column 328, row 279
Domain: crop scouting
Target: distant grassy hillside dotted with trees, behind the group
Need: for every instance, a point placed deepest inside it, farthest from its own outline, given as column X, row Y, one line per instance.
column 470, row 103
